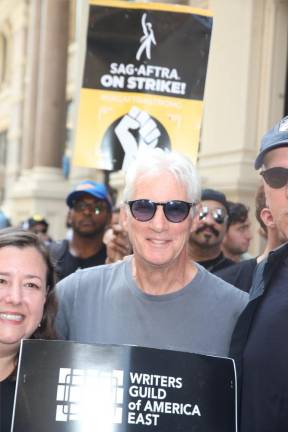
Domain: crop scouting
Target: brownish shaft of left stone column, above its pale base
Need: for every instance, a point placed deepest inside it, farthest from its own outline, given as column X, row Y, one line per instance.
column 51, row 106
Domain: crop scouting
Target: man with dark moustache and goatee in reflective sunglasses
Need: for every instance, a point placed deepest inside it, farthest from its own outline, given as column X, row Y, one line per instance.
column 208, row 230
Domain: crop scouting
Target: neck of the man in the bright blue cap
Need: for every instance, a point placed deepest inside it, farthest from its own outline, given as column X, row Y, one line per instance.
column 85, row 247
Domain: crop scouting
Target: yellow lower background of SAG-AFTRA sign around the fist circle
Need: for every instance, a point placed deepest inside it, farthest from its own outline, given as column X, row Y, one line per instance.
column 99, row 109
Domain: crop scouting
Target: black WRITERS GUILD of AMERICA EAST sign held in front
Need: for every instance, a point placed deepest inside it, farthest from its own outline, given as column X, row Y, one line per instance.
column 71, row 387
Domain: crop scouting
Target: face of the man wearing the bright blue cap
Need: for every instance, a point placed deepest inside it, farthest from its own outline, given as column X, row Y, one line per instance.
column 89, row 216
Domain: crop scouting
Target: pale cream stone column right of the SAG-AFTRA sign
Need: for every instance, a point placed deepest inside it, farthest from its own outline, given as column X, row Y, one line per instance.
column 244, row 93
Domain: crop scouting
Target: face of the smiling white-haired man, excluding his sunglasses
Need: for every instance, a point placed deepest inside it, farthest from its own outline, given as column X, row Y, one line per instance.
column 158, row 242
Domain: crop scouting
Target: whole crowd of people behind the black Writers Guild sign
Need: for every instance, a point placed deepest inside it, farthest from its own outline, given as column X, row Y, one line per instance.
column 169, row 270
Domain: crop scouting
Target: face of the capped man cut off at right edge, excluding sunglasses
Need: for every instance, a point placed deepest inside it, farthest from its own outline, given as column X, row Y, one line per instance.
column 277, row 199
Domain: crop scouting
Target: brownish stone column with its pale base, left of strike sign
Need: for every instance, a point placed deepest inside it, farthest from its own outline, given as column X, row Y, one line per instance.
column 44, row 189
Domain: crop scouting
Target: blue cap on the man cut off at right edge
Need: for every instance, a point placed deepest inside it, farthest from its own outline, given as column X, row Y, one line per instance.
column 275, row 137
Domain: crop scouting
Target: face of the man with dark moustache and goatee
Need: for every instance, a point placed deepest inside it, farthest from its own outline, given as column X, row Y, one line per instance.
column 207, row 232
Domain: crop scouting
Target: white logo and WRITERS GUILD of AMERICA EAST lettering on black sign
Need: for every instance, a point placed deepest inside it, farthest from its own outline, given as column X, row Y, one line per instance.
column 90, row 395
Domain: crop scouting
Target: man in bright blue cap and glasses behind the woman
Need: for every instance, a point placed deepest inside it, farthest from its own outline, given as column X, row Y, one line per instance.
column 89, row 214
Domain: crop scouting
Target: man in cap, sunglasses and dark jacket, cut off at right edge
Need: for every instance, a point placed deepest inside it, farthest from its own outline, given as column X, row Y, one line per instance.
column 259, row 343
